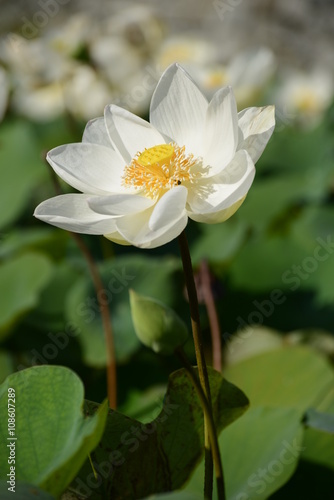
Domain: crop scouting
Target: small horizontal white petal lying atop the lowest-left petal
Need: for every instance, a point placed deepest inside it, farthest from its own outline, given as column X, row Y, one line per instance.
column 119, row 204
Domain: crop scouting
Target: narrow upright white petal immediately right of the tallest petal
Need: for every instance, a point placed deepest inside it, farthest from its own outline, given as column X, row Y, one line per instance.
column 221, row 130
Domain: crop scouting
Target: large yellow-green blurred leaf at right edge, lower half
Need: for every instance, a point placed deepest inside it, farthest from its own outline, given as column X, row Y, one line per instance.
column 296, row 377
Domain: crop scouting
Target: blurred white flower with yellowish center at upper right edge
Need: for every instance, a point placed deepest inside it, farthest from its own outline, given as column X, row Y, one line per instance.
column 304, row 97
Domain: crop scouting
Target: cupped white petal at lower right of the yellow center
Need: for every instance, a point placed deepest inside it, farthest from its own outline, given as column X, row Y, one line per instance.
column 222, row 191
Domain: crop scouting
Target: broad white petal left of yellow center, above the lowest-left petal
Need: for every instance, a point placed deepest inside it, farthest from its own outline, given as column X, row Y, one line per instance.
column 90, row 168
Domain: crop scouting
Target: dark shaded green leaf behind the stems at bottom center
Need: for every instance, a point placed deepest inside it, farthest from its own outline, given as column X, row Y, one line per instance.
column 141, row 459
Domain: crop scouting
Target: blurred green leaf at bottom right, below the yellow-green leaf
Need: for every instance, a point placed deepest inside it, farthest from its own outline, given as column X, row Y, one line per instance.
column 259, row 452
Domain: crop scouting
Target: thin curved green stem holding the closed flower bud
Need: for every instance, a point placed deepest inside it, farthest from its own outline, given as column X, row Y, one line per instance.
column 210, row 423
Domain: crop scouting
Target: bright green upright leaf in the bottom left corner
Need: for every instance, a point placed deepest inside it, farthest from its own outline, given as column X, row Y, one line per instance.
column 53, row 437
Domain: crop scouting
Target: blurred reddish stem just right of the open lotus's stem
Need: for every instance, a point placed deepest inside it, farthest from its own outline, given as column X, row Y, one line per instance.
column 213, row 316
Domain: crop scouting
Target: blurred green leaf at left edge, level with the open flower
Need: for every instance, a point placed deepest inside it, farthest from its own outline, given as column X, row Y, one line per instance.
column 22, row 169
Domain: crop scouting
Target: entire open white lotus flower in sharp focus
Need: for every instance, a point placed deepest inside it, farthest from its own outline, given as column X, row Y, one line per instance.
column 141, row 181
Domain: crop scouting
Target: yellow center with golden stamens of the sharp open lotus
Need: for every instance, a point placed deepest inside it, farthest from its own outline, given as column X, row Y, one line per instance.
column 160, row 168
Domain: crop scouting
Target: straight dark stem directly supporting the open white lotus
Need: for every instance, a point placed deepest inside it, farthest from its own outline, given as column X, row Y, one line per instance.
column 200, row 358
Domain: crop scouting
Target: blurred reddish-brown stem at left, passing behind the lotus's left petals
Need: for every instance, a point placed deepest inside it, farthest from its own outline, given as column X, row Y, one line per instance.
column 103, row 305
